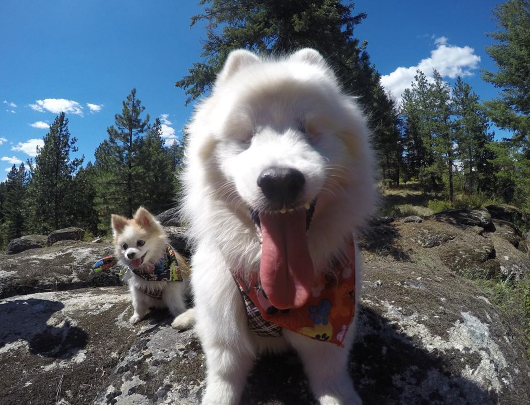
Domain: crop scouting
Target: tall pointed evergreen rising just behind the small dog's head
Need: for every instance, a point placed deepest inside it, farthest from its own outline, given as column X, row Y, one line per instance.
column 119, row 185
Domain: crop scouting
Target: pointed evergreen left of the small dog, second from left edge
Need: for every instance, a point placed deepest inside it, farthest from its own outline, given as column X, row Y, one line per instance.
column 53, row 198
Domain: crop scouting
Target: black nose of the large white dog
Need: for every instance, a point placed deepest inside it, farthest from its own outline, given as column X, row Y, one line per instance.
column 281, row 186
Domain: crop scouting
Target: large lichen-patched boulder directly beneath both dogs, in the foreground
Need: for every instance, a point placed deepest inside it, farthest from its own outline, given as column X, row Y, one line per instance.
column 421, row 339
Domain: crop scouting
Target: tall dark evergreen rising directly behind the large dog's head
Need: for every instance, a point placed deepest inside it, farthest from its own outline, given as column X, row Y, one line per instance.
column 278, row 27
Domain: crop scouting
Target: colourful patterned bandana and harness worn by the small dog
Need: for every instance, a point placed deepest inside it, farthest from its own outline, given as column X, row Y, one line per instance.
column 165, row 269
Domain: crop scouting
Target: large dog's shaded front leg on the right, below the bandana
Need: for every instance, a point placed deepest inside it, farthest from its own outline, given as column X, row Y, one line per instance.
column 326, row 366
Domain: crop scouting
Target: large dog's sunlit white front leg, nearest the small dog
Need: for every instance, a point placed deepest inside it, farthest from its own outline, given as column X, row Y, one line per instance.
column 221, row 325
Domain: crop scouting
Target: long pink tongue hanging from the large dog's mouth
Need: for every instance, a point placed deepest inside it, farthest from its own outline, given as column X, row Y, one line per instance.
column 286, row 268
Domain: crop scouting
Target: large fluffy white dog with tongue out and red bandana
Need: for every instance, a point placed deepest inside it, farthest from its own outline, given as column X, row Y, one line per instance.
column 279, row 177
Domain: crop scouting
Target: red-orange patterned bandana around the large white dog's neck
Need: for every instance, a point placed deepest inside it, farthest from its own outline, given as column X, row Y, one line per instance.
column 326, row 316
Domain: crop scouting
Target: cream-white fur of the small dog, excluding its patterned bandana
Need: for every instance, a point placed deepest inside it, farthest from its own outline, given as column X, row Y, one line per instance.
column 153, row 234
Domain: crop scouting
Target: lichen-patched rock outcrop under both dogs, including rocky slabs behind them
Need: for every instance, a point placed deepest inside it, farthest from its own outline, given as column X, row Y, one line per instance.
column 426, row 334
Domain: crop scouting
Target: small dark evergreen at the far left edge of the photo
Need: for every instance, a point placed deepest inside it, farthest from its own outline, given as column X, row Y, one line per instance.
column 15, row 190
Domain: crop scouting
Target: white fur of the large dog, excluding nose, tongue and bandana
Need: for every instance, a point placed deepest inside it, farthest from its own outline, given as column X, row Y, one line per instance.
column 262, row 113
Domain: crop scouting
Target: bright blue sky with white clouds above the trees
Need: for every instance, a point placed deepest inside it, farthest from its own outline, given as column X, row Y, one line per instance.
column 84, row 57
